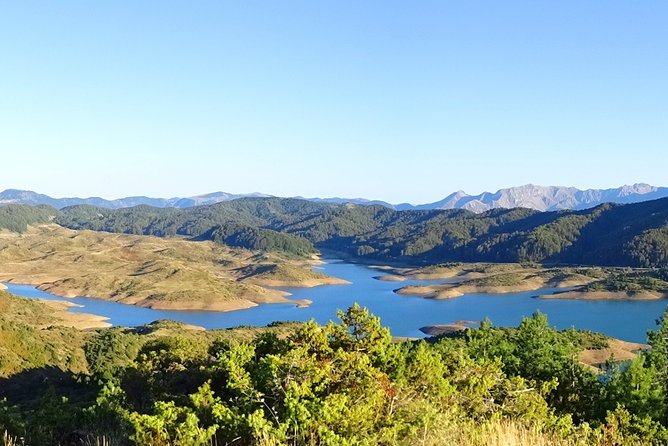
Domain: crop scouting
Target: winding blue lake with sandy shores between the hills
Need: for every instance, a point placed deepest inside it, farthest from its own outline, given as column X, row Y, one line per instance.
column 403, row 314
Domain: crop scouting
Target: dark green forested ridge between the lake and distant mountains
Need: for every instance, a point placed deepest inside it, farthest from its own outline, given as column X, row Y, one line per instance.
column 614, row 235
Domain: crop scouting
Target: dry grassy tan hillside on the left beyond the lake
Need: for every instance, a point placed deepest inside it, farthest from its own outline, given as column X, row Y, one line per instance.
column 147, row 271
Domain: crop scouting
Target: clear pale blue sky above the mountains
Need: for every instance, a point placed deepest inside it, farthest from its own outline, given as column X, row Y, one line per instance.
column 401, row 101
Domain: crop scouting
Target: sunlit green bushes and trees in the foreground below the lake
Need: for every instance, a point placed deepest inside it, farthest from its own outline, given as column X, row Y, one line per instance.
column 344, row 383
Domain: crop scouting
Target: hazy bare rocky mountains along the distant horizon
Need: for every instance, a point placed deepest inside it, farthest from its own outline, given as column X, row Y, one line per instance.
column 541, row 198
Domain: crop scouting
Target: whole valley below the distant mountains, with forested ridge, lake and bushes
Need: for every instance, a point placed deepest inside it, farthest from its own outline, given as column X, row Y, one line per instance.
column 136, row 313
